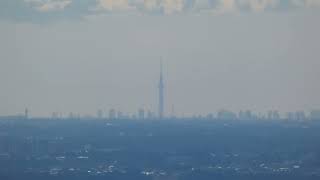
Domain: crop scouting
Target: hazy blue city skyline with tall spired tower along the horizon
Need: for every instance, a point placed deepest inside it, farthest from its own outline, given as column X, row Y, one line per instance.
column 160, row 112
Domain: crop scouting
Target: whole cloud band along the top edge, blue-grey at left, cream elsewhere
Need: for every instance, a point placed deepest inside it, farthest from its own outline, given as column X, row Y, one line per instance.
column 36, row 10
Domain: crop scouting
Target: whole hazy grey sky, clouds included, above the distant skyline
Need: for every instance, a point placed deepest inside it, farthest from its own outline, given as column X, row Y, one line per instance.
column 83, row 55
